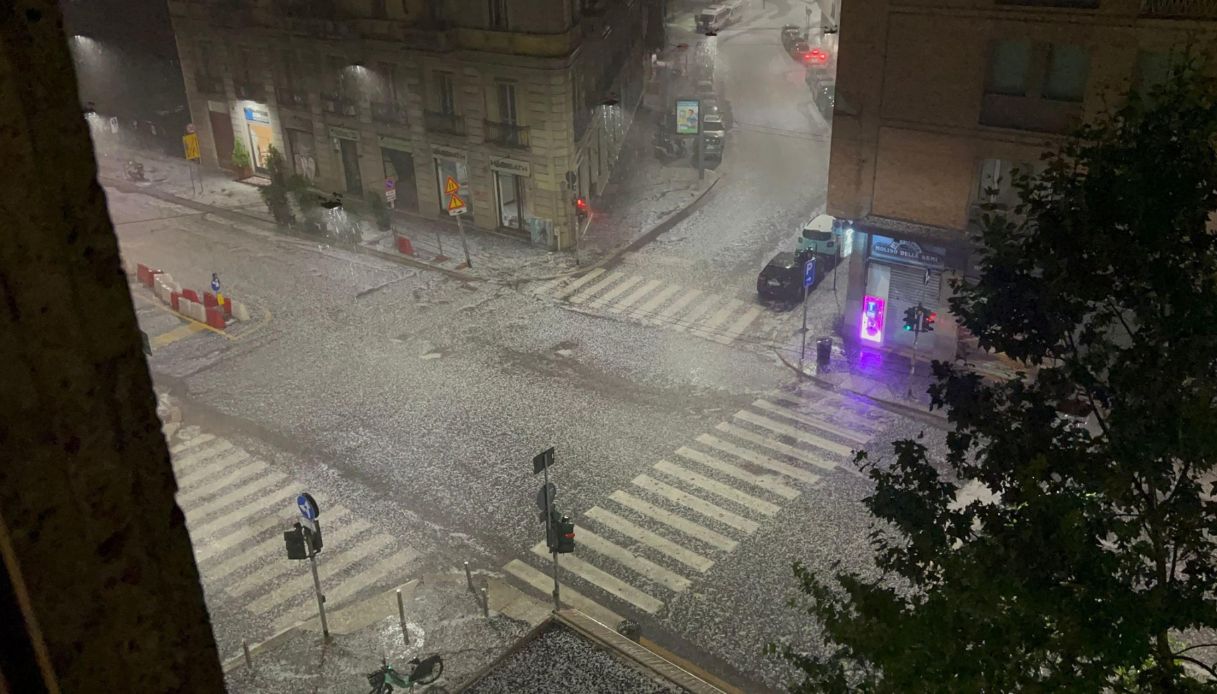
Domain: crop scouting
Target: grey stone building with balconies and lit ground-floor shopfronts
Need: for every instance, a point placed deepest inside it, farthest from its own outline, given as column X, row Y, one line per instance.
column 524, row 103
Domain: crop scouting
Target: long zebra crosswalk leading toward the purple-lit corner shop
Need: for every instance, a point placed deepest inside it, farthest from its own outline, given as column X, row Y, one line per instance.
column 655, row 539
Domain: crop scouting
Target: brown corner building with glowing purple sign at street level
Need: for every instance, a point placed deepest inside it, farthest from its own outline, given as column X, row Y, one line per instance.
column 939, row 100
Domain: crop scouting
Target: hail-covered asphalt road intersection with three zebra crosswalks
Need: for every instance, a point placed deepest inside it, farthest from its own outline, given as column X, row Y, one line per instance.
column 412, row 404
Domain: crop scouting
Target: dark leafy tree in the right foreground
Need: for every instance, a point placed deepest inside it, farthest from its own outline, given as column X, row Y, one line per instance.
column 1098, row 546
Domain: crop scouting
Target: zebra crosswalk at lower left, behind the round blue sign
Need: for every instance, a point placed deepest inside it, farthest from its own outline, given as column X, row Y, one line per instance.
column 237, row 510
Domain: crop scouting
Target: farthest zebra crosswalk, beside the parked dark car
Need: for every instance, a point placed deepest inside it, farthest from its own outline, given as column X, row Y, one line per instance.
column 658, row 303
